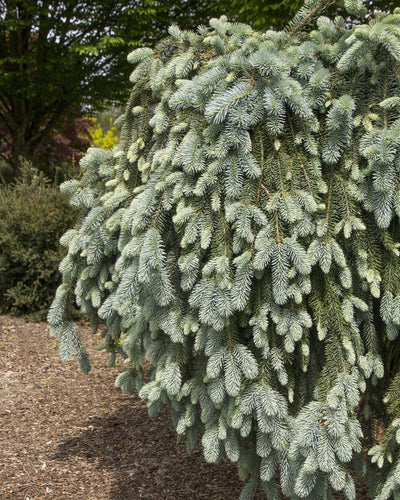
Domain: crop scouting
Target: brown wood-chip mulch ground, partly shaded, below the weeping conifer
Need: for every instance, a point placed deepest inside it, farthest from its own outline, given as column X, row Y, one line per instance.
column 64, row 434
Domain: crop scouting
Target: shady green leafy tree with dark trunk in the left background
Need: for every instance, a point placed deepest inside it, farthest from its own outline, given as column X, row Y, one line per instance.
column 60, row 58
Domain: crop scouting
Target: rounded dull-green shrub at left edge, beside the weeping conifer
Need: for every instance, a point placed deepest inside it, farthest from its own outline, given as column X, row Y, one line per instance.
column 33, row 215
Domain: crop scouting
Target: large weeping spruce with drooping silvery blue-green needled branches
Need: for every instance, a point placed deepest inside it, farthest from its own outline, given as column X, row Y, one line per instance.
column 244, row 239
